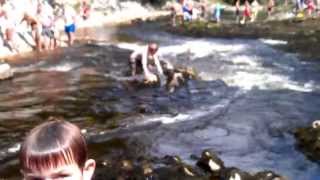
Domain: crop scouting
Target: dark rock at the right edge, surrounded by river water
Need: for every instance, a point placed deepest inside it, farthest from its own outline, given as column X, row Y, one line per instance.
column 308, row 140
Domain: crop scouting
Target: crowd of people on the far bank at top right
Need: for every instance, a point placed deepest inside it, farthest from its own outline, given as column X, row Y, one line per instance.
column 245, row 11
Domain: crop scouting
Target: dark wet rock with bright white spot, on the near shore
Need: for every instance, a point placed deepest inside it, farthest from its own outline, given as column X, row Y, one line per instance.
column 209, row 162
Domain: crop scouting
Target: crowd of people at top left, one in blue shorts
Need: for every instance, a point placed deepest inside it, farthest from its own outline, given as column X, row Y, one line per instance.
column 41, row 19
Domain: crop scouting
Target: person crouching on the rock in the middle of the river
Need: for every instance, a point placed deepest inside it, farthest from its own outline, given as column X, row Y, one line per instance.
column 144, row 60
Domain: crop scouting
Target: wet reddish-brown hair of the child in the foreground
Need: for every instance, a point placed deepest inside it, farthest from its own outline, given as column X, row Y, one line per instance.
column 52, row 144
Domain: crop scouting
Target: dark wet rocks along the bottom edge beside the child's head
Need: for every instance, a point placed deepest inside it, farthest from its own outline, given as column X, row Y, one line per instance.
column 172, row 167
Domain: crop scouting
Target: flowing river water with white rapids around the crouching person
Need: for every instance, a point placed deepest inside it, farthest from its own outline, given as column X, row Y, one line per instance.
column 245, row 105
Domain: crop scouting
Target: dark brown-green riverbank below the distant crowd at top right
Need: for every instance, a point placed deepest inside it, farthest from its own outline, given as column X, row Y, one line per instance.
column 300, row 36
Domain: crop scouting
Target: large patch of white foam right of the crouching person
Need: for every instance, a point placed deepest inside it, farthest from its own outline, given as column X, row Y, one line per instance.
column 243, row 62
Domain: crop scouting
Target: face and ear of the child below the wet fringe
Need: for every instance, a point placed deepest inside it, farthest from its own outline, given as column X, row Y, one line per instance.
column 63, row 172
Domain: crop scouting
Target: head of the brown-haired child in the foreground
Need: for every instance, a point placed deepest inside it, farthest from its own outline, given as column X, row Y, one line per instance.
column 56, row 150
